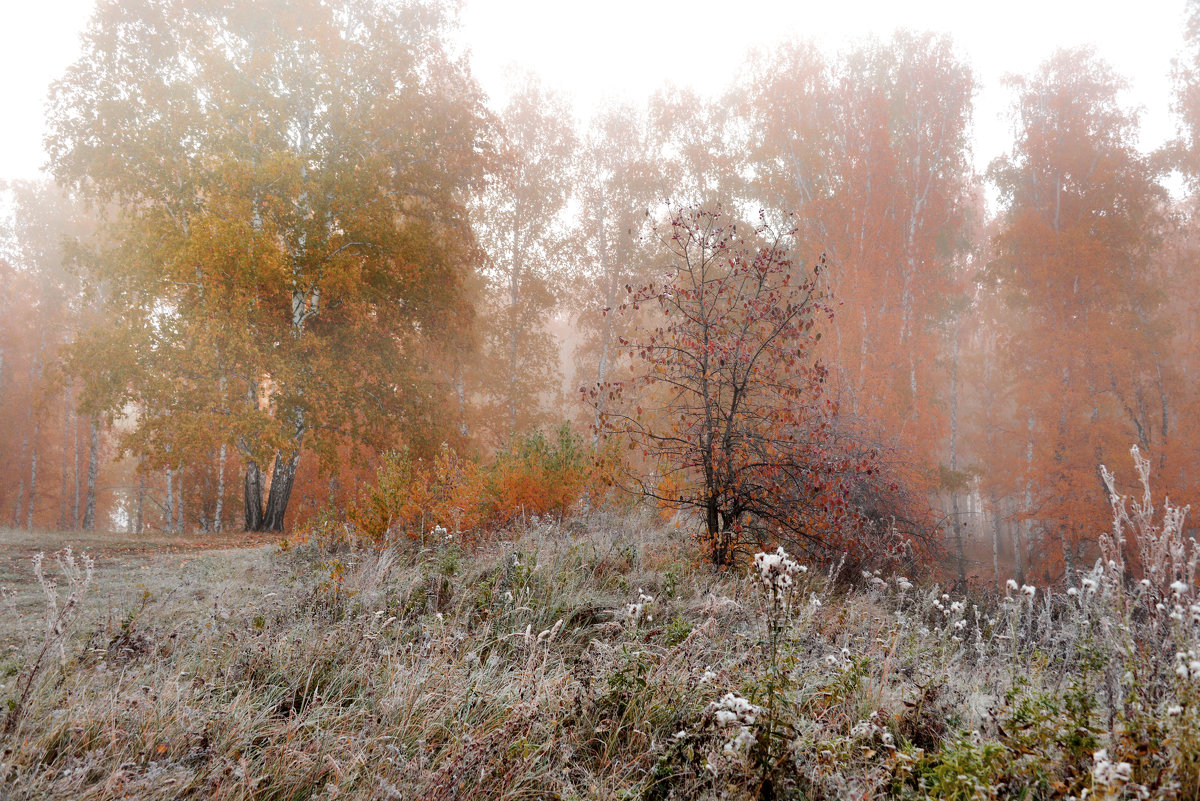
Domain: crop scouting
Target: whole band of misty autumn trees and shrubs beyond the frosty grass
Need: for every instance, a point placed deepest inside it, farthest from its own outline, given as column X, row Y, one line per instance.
column 293, row 267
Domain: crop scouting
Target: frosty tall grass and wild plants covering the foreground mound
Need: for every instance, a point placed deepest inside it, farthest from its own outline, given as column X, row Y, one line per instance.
column 598, row 659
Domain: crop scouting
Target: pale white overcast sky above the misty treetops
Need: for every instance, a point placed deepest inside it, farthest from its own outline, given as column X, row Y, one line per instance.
column 628, row 49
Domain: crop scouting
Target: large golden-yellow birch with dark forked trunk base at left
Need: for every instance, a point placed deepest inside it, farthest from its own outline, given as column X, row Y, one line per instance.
column 291, row 179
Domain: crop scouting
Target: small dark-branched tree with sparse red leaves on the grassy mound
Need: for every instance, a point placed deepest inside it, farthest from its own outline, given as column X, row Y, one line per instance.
column 739, row 418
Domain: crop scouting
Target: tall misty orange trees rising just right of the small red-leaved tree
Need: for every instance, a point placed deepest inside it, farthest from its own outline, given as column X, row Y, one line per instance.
column 869, row 152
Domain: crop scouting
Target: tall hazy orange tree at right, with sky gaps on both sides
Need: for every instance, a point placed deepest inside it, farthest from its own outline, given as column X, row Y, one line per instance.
column 1079, row 329
